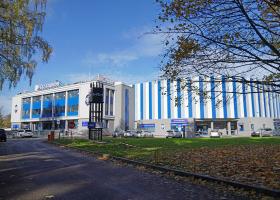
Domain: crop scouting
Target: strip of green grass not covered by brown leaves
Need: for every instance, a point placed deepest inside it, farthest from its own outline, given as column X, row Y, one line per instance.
column 144, row 148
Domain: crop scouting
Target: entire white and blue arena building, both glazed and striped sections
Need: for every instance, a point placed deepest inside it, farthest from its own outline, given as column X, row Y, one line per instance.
column 196, row 105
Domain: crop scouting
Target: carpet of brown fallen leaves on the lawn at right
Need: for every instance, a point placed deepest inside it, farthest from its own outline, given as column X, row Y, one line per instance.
column 251, row 164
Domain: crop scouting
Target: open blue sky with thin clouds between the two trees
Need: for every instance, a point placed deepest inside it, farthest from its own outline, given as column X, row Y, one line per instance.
column 90, row 37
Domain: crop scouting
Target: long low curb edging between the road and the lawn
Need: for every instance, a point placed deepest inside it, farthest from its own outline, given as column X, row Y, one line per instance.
column 262, row 190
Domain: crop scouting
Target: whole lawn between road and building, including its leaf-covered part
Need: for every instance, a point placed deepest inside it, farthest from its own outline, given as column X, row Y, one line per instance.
column 248, row 160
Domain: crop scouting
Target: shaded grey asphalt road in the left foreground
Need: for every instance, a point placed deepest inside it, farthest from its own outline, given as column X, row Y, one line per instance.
column 32, row 169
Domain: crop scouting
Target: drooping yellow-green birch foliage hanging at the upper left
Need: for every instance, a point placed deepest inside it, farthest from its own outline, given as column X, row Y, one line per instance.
column 21, row 23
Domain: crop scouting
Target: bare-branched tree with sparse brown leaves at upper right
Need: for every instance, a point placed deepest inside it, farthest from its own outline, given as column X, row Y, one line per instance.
column 238, row 38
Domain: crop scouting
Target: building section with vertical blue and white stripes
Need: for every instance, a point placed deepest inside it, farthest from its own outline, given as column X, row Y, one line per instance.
column 203, row 104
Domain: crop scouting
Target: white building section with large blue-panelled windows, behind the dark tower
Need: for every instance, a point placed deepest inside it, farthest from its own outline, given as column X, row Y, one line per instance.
column 65, row 107
